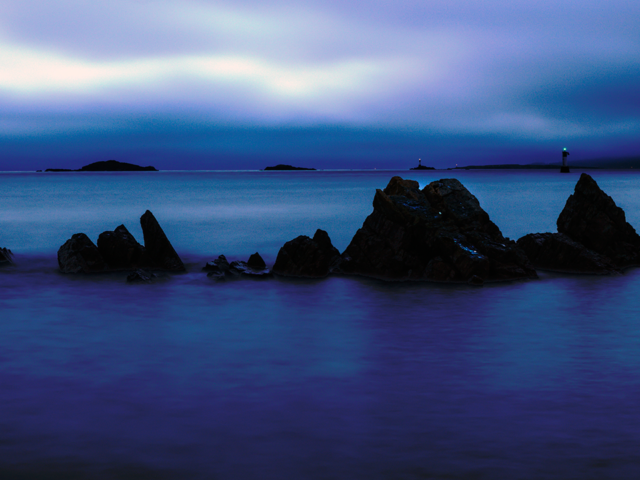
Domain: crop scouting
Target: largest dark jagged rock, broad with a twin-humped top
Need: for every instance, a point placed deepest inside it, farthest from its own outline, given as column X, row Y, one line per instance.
column 439, row 233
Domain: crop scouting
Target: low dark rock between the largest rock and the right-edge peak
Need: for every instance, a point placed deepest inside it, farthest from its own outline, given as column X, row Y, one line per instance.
column 557, row 252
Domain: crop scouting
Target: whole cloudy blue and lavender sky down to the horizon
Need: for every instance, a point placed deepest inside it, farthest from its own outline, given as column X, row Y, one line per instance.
column 328, row 84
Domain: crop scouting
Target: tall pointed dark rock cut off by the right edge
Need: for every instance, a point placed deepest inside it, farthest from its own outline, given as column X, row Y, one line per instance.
column 592, row 218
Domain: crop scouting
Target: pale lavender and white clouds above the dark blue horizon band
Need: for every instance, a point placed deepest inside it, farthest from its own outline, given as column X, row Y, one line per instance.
column 502, row 69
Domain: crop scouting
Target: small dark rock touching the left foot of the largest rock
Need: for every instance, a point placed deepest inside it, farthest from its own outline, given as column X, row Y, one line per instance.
column 306, row 257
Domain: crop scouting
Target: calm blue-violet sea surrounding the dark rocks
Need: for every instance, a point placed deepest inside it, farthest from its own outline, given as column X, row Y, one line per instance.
column 281, row 379
